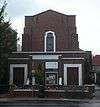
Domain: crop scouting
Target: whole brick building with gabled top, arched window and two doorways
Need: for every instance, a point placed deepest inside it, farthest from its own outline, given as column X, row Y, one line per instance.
column 50, row 38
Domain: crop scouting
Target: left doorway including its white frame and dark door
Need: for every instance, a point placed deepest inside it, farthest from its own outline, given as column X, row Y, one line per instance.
column 18, row 74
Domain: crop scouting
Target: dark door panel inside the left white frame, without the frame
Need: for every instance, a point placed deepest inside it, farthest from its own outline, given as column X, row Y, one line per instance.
column 18, row 76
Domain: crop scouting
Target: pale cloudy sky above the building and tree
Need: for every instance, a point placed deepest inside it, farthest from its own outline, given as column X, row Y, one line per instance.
column 87, row 17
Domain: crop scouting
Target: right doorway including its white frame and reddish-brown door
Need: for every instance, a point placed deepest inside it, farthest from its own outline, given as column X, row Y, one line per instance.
column 72, row 74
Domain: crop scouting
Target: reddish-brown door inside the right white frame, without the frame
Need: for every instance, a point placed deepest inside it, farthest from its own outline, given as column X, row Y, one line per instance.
column 72, row 76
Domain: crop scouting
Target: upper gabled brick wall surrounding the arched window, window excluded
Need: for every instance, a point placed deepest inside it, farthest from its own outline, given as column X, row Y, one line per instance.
column 64, row 27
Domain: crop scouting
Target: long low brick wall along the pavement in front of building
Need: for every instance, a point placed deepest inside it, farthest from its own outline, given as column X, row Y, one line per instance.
column 85, row 91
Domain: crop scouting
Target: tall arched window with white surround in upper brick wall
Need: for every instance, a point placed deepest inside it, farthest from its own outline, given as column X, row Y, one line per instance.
column 49, row 41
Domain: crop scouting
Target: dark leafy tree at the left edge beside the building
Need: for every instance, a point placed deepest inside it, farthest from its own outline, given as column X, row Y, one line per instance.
column 8, row 43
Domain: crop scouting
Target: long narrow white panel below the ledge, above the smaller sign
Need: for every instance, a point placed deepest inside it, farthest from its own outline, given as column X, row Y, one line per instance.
column 42, row 57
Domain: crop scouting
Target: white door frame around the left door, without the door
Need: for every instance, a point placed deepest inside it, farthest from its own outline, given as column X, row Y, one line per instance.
column 18, row 65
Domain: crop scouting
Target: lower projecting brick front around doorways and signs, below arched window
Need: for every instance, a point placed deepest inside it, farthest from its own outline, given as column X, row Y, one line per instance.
column 68, row 57
